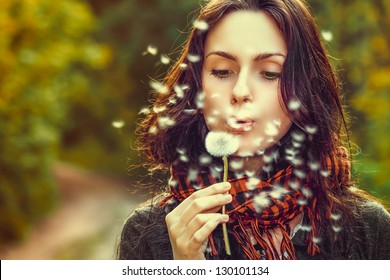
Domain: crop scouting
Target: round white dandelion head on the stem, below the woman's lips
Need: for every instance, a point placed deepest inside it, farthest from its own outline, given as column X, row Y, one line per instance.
column 219, row 143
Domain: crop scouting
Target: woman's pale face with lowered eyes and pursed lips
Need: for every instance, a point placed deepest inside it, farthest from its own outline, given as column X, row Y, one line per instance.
column 243, row 60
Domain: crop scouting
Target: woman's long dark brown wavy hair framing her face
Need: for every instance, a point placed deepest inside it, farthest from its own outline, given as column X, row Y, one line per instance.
column 307, row 76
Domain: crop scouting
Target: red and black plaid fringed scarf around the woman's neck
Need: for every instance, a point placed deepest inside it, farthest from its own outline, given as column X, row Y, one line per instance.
column 272, row 204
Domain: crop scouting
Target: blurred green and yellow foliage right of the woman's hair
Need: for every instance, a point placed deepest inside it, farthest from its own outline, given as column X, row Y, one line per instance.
column 360, row 40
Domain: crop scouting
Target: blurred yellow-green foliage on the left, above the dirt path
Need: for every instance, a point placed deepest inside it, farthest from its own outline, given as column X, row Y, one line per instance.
column 43, row 45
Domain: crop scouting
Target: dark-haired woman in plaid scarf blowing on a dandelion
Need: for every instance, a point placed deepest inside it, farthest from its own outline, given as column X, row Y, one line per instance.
column 260, row 73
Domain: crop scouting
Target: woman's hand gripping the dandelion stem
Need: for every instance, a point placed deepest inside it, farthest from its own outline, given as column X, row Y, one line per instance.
column 193, row 220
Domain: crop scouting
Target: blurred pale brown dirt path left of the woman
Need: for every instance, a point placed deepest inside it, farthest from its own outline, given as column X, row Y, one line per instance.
column 87, row 222
